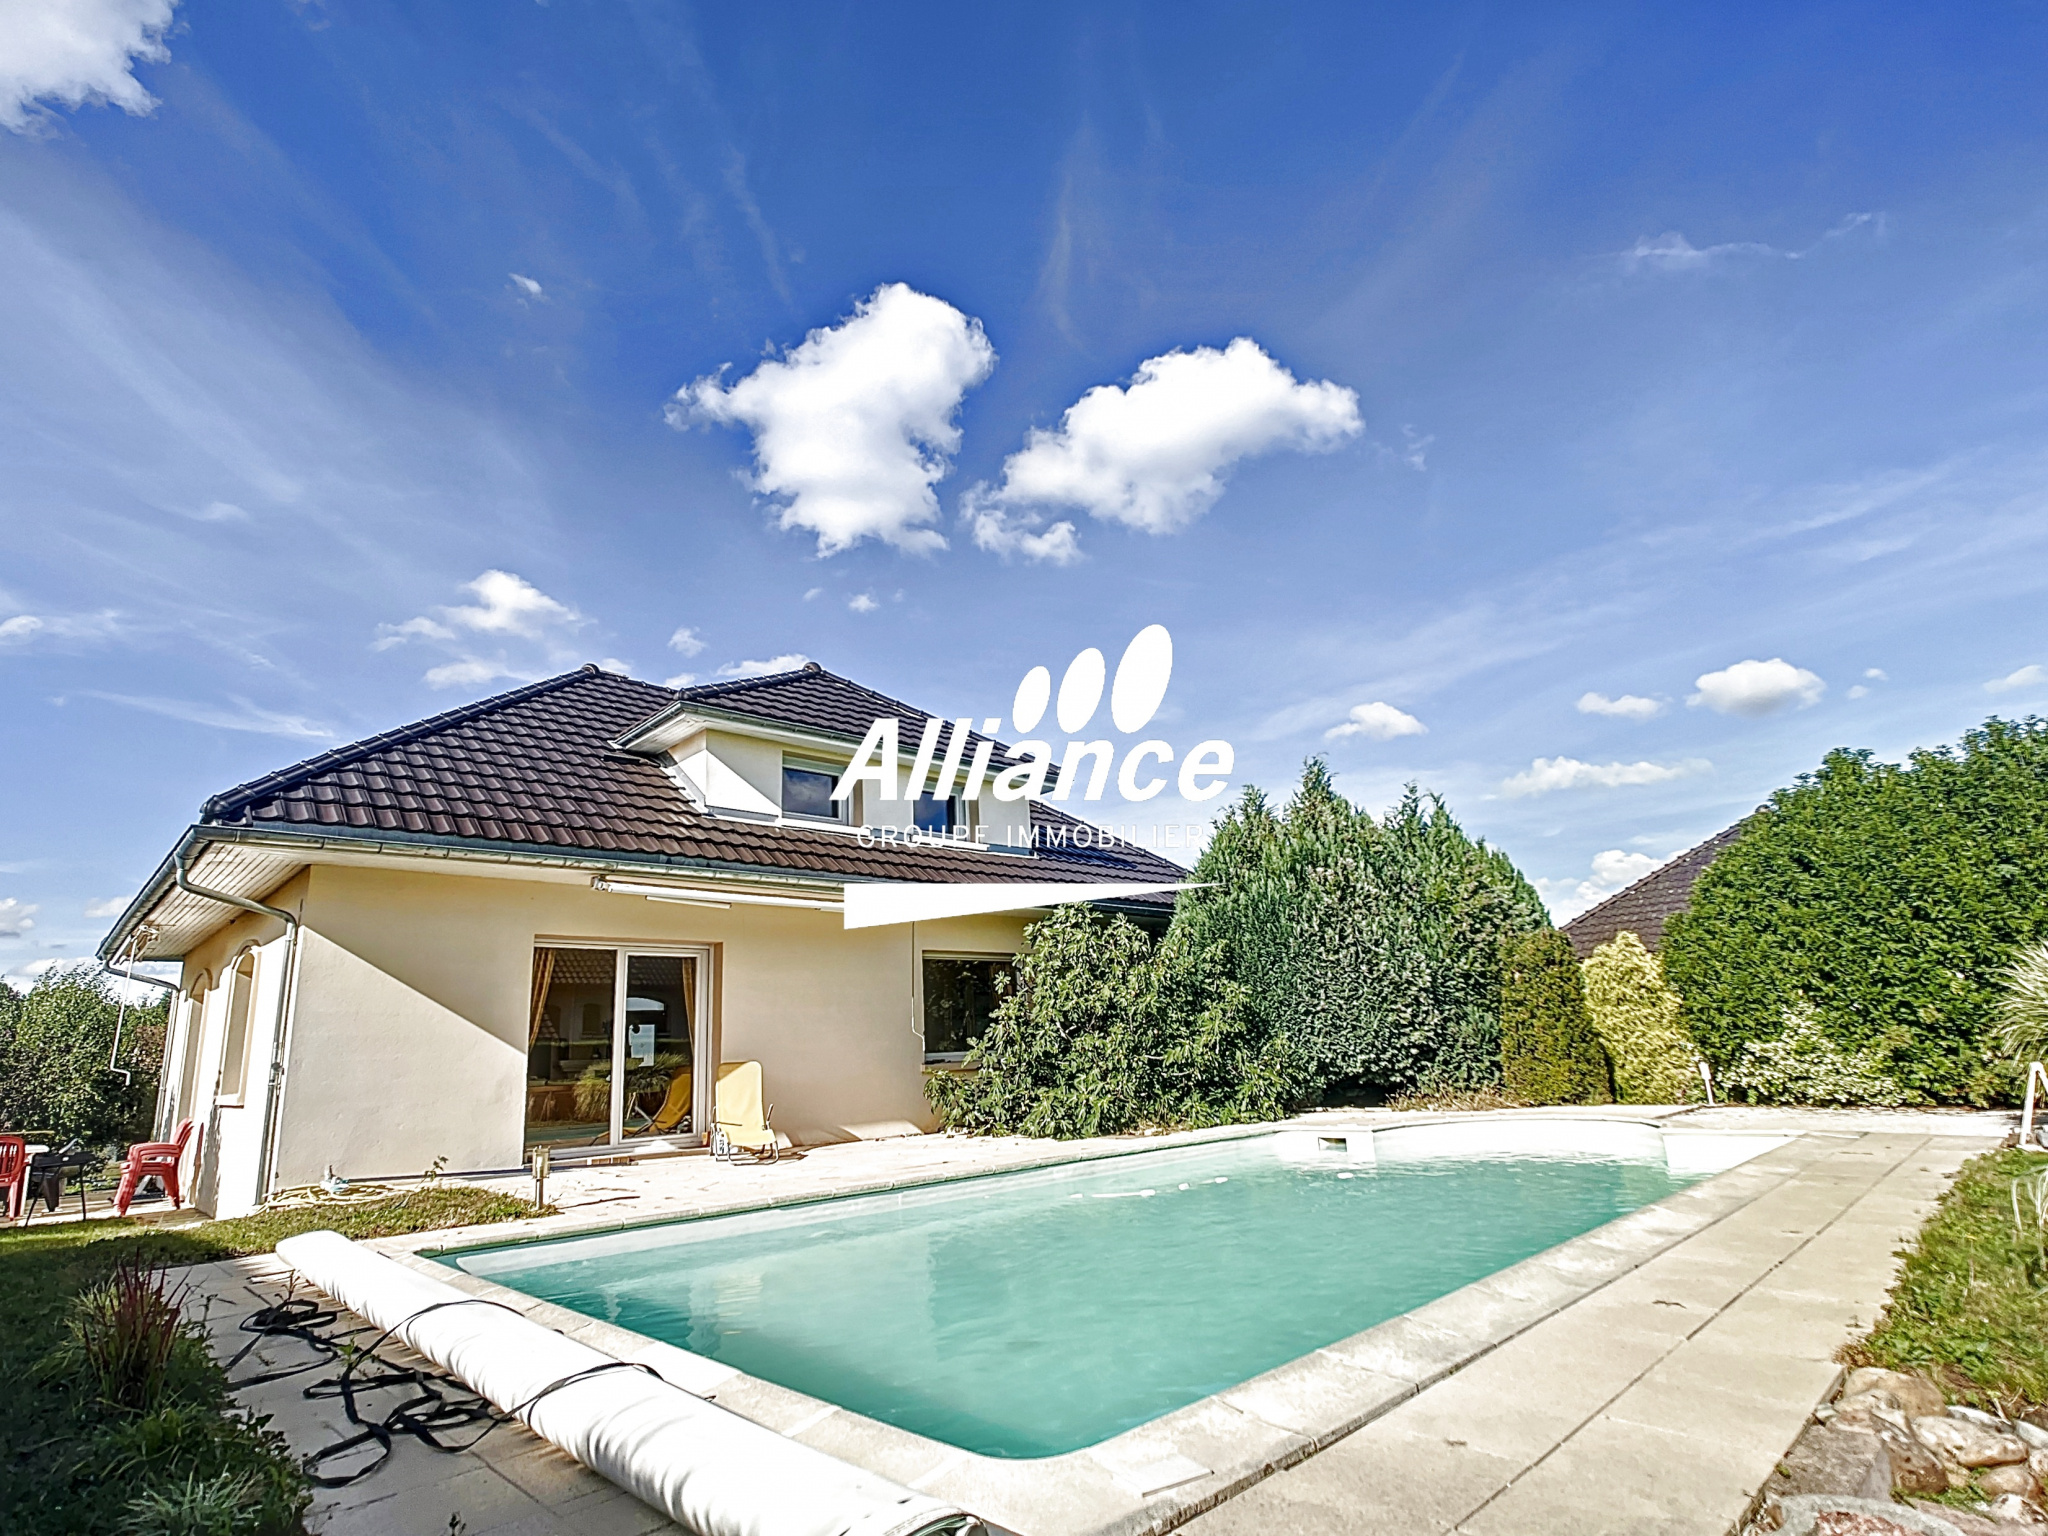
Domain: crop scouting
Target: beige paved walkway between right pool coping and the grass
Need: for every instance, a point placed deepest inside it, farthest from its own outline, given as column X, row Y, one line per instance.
column 1656, row 1406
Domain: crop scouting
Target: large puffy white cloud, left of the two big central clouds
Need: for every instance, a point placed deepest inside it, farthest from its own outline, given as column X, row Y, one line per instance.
column 855, row 427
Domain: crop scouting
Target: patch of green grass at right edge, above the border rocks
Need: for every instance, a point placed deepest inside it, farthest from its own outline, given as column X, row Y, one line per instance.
column 1971, row 1306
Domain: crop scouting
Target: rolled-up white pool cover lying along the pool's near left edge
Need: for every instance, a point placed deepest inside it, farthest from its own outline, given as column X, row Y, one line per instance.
column 710, row 1469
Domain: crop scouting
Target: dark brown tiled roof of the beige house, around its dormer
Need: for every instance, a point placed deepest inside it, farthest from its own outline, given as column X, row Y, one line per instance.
column 534, row 771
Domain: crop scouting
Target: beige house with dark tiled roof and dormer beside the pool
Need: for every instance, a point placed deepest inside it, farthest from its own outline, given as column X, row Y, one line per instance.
column 536, row 919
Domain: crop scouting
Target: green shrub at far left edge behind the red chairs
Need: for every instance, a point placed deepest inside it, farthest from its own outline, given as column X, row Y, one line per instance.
column 54, row 1050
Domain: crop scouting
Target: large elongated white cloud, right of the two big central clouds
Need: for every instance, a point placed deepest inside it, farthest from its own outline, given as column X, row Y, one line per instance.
column 1156, row 456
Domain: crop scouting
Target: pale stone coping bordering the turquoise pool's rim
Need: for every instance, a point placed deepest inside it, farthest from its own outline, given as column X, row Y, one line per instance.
column 1164, row 1474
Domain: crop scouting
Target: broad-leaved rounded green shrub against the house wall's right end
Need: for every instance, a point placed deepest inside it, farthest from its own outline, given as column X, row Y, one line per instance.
column 1101, row 1031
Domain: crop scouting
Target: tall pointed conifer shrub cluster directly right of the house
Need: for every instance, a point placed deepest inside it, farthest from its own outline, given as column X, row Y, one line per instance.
column 1371, row 947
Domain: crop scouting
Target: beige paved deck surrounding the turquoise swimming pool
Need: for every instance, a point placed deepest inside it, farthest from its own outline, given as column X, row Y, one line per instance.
column 1650, row 1394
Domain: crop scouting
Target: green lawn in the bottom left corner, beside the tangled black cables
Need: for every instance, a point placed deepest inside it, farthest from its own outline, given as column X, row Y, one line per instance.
column 191, row 1463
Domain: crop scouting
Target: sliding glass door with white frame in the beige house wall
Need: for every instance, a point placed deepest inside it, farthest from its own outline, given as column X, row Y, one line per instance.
column 613, row 1046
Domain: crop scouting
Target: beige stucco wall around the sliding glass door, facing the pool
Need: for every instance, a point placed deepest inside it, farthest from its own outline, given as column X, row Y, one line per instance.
column 413, row 1007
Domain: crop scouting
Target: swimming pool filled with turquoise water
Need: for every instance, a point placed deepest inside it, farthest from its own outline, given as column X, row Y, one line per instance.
column 1037, row 1314
